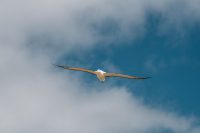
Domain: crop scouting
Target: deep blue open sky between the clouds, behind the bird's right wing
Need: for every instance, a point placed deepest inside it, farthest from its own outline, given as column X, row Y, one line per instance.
column 172, row 59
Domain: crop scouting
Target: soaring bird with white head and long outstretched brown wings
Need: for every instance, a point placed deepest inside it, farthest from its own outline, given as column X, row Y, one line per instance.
column 101, row 75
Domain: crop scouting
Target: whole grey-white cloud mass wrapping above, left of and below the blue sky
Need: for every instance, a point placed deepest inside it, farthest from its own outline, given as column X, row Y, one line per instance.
column 36, row 98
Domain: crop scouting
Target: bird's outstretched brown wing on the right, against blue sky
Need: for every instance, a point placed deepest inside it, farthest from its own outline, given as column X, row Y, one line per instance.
column 124, row 76
